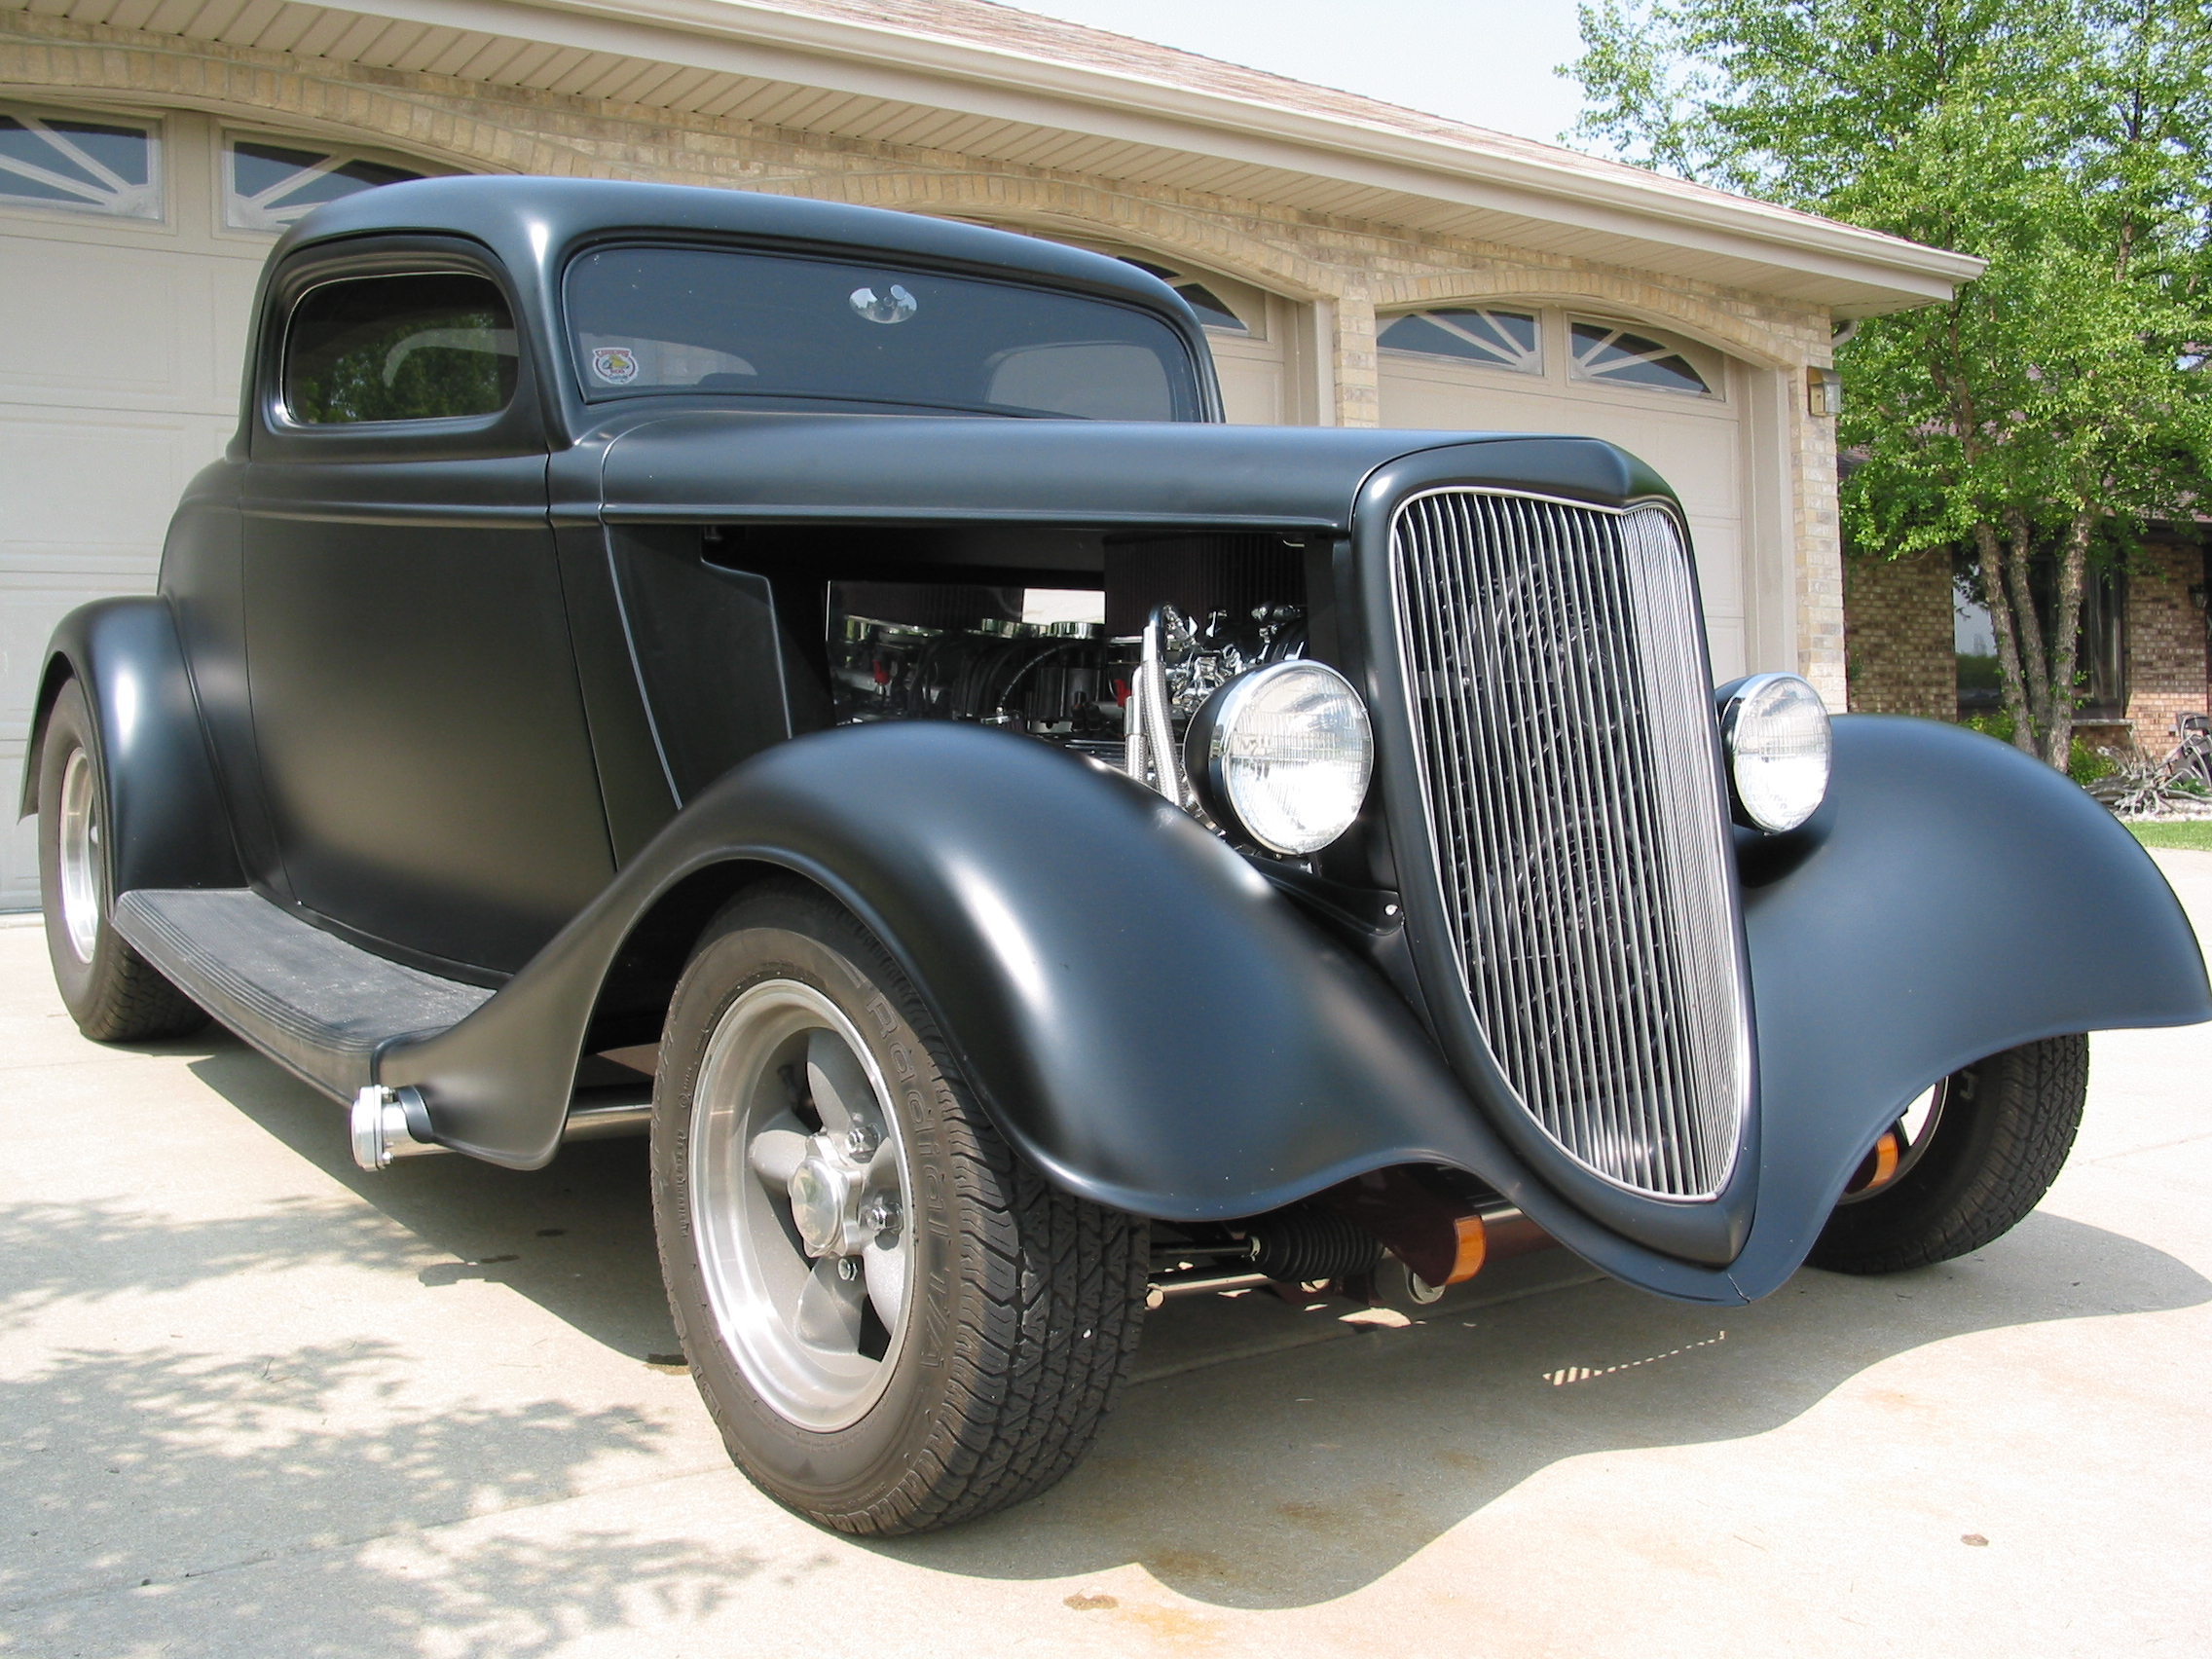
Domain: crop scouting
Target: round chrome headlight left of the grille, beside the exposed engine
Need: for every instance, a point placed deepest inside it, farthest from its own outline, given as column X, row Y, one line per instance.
column 1282, row 755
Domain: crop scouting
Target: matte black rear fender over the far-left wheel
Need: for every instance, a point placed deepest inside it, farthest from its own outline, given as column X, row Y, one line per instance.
column 167, row 824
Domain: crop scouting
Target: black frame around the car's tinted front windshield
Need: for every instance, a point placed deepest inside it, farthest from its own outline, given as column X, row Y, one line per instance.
column 1193, row 393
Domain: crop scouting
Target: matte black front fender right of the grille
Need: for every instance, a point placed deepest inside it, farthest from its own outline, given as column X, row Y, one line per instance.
column 1950, row 901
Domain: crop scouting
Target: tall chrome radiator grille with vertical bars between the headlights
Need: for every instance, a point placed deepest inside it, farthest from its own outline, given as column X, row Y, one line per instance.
column 1569, row 766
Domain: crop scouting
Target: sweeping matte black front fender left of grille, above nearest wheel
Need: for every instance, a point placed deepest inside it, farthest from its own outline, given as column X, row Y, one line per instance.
column 1140, row 1012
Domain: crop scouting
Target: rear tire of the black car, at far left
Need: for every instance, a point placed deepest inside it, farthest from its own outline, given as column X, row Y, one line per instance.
column 112, row 992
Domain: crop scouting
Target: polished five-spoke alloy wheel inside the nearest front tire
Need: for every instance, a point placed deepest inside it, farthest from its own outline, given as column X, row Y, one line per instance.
column 800, row 1204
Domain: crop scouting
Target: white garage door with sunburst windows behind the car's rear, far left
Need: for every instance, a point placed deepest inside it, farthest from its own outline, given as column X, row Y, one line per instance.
column 129, row 249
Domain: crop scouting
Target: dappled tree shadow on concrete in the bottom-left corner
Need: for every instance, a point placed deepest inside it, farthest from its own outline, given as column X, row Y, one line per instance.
column 300, row 1503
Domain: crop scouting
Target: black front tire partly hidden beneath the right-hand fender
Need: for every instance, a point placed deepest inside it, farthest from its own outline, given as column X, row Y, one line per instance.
column 2005, row 1131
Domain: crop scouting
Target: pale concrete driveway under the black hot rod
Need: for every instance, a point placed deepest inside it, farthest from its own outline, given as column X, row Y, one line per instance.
column 258, row 1404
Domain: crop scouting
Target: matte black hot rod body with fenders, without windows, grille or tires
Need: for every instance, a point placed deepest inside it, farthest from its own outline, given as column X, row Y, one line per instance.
column 530, row 700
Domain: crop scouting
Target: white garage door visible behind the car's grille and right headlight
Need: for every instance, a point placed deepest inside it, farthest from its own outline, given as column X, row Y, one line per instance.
column 1658, row 397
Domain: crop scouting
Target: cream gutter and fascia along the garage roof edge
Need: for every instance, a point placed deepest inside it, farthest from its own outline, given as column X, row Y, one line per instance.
column 1547, row 198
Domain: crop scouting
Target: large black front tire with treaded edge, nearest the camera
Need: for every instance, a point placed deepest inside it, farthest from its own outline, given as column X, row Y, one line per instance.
column 1025, row 1304
